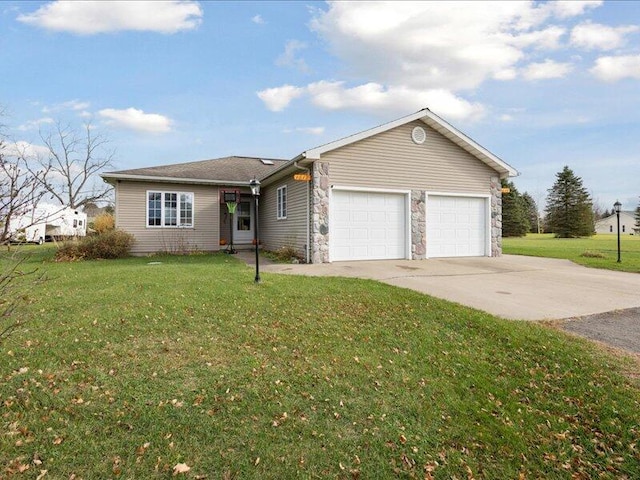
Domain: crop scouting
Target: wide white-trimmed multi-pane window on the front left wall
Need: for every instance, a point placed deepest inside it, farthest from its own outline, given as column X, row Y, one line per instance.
column 169, row 209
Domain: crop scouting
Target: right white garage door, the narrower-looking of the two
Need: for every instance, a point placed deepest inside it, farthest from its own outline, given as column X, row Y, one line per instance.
column 456, row 226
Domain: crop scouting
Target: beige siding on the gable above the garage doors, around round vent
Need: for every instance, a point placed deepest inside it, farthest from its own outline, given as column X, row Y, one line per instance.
column 392, row 160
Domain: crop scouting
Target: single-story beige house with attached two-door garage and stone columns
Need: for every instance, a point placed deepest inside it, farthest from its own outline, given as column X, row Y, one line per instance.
column 412, row 188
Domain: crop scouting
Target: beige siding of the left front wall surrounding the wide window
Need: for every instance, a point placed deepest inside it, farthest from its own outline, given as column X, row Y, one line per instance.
column 131, row 216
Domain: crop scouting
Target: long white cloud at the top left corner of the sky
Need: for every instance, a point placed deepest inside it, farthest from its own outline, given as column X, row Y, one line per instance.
column 88, row 18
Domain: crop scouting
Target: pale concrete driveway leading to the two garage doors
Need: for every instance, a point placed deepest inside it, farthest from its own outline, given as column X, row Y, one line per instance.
column 514, row 287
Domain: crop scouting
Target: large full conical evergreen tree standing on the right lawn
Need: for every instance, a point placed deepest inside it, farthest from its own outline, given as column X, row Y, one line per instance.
column 569, row 210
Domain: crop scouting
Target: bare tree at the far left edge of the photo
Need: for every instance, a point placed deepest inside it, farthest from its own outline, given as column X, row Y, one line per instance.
column 20, row 190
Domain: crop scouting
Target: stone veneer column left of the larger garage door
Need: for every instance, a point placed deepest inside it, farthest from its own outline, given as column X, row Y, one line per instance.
column 320, row 209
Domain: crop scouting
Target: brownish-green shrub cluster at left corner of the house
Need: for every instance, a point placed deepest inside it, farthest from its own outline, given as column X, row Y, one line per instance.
column 110, row 244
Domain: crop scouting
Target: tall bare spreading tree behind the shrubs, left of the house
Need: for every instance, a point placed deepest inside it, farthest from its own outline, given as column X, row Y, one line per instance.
column 74, row 159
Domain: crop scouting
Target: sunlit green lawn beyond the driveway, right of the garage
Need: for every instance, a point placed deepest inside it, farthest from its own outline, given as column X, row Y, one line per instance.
column 580, row 250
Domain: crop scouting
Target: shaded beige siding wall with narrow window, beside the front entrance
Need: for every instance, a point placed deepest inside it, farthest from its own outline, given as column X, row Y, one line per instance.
column 289, row 232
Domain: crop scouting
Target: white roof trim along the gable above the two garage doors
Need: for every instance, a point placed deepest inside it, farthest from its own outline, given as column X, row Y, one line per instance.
column 433, row 121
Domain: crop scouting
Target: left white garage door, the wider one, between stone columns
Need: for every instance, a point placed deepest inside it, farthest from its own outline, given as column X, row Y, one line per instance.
column 367, row 225
